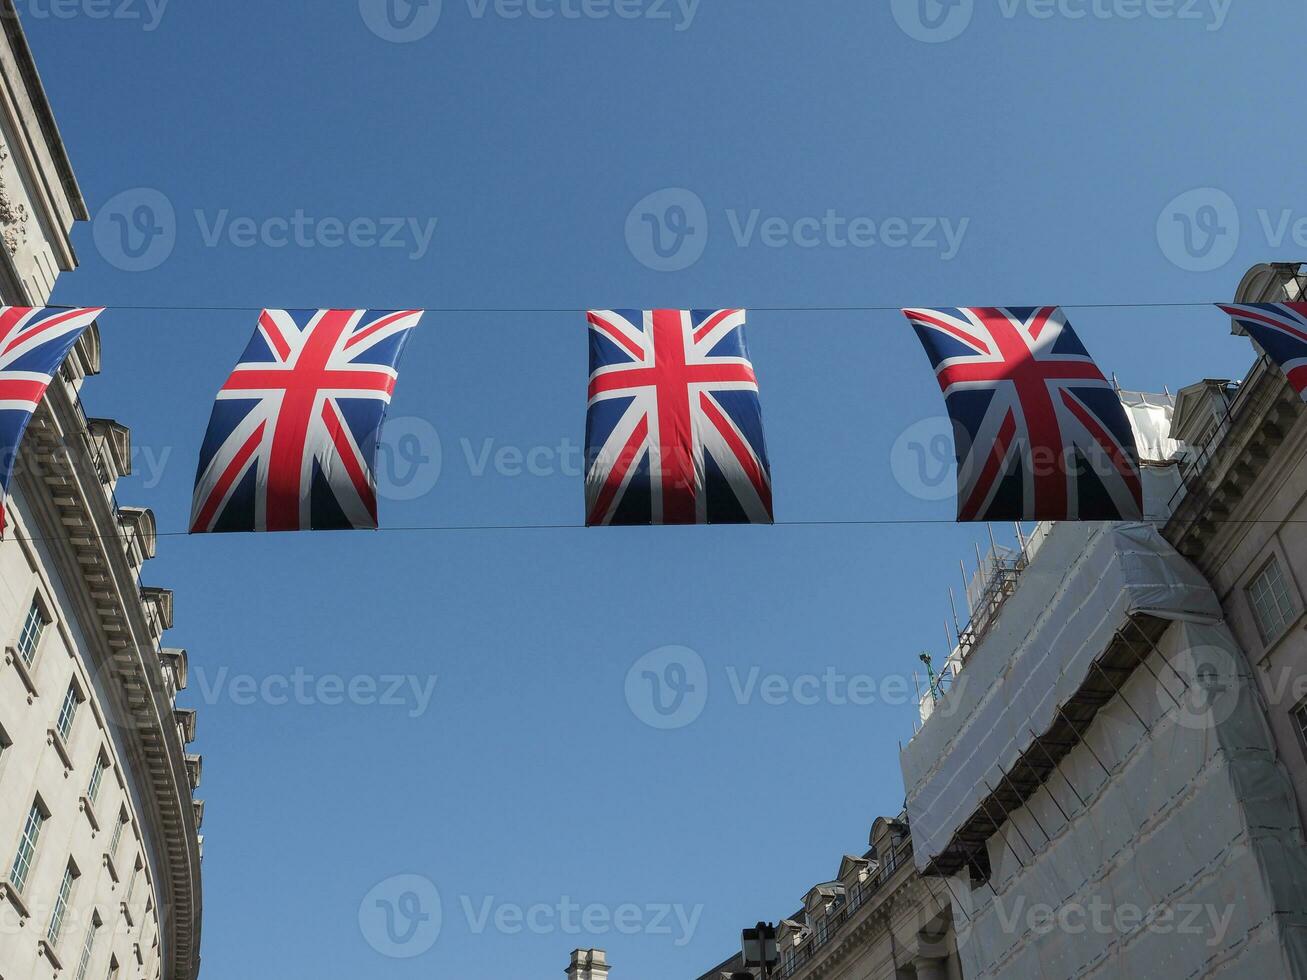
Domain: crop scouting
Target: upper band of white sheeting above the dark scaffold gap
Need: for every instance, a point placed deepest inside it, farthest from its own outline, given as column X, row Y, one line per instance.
column 1080, row 590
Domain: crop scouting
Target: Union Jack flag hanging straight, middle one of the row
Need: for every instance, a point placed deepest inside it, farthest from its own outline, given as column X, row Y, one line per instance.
column 674, row 431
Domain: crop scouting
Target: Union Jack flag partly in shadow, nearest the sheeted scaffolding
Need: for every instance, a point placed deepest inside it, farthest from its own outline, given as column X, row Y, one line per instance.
column 1041, row 434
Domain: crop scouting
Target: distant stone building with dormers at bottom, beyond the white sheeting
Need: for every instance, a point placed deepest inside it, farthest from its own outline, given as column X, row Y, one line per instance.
column 879, row 919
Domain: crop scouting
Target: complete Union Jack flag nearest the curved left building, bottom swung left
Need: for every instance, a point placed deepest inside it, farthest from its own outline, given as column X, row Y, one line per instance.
column 292, row 441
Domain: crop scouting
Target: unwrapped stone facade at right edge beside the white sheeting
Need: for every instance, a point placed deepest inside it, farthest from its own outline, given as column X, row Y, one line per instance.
column 1242, row 518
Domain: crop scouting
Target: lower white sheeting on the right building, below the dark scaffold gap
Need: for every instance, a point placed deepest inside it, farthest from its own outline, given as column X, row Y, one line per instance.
column 1186, row 863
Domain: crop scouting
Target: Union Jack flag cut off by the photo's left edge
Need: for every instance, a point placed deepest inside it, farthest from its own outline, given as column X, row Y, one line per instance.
column 33, row 346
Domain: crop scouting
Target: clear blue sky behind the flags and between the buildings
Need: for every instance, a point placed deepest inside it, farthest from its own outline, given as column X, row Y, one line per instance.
column 1057, row 148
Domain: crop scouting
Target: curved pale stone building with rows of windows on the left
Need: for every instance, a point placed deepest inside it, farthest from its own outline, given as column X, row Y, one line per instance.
column 100, row 847
